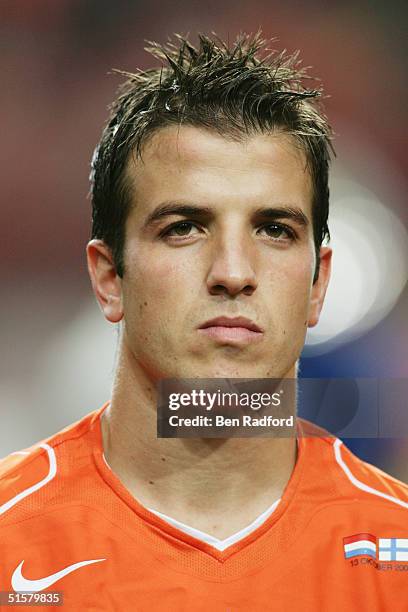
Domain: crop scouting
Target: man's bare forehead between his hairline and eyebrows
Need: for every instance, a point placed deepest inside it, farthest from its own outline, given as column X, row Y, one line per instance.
column 199, row 164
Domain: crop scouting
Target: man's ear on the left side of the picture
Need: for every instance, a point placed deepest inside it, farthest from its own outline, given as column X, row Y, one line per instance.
column 106, row 284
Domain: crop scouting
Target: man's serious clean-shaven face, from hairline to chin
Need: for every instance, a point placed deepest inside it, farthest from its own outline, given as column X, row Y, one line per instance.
column 245, row 249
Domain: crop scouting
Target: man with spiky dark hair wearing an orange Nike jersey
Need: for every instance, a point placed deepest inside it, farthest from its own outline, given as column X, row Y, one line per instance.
column 210, row 206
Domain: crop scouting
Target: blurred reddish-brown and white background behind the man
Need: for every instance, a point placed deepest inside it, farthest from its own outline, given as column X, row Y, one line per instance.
column 57, row 350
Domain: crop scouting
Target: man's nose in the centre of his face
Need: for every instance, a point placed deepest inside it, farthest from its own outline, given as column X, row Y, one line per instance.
column 232, row 268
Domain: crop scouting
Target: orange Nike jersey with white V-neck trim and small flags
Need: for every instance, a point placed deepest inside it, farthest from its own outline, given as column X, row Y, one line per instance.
column 337, row 541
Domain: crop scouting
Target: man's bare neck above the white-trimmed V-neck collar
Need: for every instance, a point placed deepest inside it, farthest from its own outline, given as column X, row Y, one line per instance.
column 197, row 481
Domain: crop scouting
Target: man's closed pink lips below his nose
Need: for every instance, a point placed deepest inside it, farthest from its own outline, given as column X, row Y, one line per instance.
column 232, row 330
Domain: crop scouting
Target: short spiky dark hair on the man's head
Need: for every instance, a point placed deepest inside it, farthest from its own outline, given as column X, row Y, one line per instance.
column 236, row 90
